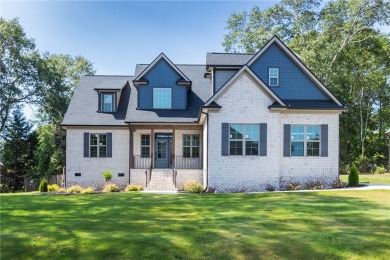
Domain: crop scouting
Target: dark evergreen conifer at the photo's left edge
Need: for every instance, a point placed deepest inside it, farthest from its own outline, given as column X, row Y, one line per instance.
column 15, row 150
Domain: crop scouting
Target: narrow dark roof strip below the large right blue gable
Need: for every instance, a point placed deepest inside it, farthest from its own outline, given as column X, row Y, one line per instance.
column 309, row 104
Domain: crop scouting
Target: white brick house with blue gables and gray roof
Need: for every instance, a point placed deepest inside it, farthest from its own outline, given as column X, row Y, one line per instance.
column 241, row 122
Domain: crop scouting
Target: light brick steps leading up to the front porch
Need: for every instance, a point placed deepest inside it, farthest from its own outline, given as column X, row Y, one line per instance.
column 161, row 181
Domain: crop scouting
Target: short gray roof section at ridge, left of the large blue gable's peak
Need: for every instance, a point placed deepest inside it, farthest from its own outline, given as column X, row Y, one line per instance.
column 227, row 59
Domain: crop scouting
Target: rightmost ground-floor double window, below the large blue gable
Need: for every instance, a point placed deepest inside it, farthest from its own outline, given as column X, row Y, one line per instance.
column 305, row 140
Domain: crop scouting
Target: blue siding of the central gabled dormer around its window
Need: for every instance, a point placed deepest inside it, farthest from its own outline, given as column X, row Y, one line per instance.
column 162, row 75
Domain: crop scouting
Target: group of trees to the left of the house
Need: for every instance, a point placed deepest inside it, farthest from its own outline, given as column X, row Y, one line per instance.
column 45, row 81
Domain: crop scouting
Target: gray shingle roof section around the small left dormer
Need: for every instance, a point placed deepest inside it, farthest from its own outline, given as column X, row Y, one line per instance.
column 83, row 107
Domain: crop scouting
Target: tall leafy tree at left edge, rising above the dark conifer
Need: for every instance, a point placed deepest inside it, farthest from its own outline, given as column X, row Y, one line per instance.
column 18, row 71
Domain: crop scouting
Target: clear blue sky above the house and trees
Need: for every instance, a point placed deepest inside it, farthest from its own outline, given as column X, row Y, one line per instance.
column 117, row 35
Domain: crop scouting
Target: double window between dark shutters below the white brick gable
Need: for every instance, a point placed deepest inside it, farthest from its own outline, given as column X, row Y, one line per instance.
column 244, row 139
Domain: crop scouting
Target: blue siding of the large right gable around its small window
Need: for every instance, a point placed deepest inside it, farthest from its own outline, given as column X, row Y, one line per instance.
column 294, row 84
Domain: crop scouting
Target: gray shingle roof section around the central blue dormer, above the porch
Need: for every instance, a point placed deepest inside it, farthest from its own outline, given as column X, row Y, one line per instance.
column 200, row 92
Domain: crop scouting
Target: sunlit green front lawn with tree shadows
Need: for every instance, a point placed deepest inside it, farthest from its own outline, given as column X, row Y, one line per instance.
column 311, row 225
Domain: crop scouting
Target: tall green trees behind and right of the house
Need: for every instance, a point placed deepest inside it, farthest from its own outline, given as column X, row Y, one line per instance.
column 340, row 42
